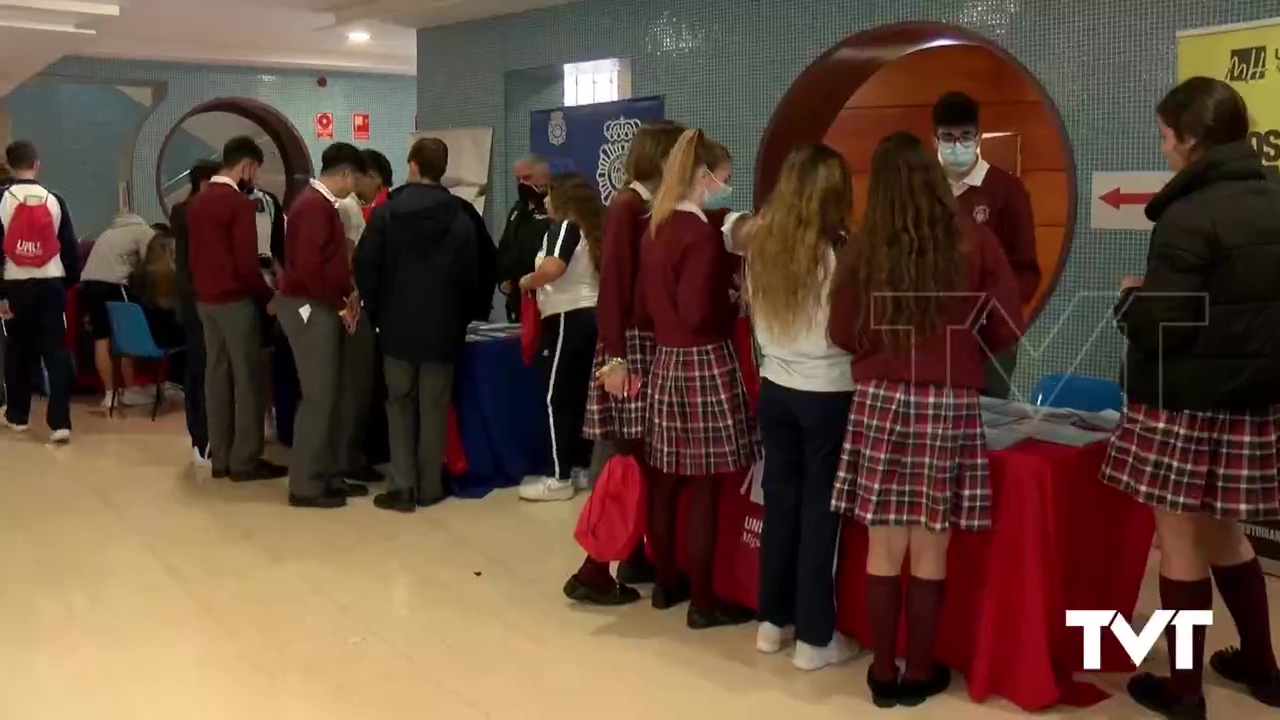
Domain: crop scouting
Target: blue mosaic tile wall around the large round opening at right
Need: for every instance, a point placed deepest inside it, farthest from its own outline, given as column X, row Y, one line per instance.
column 724, row 65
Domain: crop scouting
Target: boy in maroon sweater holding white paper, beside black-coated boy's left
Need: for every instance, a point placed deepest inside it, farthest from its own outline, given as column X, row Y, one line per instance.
column 317, row 308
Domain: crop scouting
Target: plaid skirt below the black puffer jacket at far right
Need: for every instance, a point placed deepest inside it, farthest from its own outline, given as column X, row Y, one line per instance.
column 1223, row 464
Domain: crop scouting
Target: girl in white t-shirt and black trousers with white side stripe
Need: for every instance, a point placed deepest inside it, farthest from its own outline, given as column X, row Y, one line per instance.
column 566, row 281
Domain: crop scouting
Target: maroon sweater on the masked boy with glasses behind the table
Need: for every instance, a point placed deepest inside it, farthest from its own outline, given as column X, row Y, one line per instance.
column 1002, row 204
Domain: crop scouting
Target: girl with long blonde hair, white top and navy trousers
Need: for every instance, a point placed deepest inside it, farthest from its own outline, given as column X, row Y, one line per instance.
column 806, row 391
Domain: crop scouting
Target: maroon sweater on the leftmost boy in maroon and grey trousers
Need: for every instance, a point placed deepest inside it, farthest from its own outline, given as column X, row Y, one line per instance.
column 223, row 247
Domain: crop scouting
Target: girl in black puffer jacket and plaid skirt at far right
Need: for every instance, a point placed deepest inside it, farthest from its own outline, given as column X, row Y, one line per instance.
column 1199, row 439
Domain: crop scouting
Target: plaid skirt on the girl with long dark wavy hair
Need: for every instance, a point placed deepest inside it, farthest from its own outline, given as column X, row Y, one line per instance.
column 915, row 455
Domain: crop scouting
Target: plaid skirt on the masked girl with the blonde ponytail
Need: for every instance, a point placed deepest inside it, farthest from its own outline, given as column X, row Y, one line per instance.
column 698, row 420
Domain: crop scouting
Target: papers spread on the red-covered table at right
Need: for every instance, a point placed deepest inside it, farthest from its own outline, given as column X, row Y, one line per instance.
column 1009, row 422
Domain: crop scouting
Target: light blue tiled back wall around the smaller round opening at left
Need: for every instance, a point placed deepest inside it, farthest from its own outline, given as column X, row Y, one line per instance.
column 80, row 135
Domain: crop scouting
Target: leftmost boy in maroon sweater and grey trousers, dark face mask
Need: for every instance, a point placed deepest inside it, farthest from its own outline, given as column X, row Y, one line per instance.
column 230, row 289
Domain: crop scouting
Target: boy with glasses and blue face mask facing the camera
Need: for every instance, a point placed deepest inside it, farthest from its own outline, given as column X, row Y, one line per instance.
column 994, row 198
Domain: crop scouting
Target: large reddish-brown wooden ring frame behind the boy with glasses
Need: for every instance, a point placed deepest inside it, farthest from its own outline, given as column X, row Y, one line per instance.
column 821, row 93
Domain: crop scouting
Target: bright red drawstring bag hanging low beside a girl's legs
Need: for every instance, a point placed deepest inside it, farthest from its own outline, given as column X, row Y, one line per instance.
column 614, row 520
